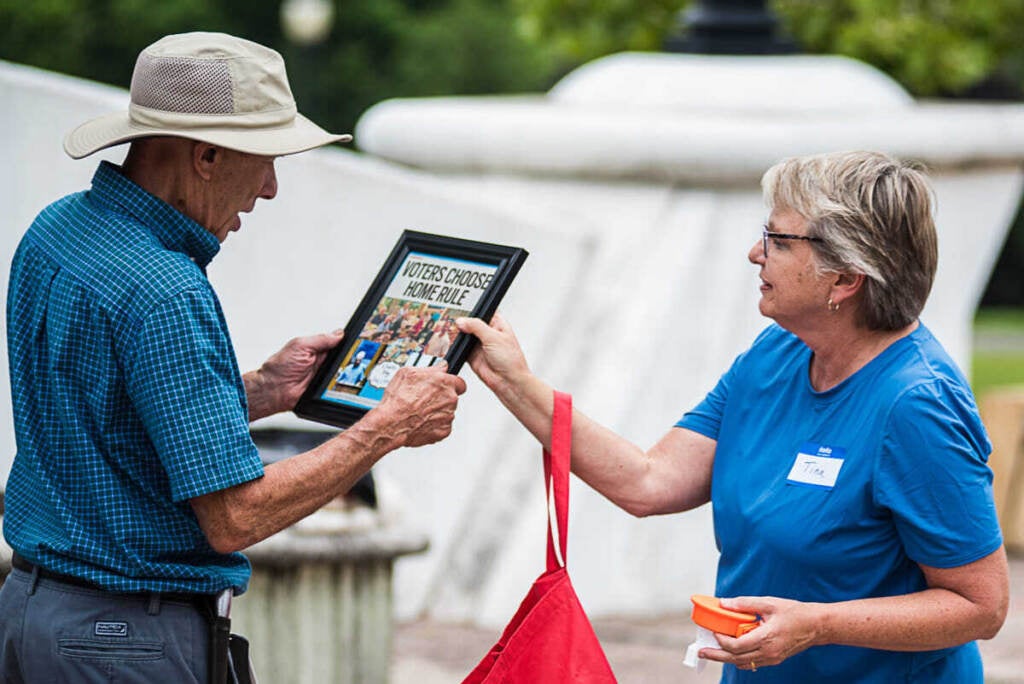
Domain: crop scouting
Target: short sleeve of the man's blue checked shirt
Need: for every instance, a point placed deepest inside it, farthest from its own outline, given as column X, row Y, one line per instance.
column 185, row 383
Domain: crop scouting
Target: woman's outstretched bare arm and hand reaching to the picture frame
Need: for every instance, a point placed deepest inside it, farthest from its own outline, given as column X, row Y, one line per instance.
column 673, row 477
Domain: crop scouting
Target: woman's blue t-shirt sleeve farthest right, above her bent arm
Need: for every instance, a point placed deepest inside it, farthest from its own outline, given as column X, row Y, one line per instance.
column 933, row 476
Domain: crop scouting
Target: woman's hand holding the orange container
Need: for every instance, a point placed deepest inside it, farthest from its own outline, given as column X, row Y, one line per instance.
column 787, row 628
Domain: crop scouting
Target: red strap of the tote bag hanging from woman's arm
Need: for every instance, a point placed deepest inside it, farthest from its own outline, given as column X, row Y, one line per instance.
column 557, row 480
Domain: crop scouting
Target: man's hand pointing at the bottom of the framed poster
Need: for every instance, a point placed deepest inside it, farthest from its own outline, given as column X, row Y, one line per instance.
column 419, row 406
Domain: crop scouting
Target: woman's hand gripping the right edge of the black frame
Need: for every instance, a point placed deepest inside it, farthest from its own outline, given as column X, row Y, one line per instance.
column 498, row 360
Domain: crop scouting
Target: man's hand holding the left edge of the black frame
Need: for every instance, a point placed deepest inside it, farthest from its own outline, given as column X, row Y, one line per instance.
column 281, row 380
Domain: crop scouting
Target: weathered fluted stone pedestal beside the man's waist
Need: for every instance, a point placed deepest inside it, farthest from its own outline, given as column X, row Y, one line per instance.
column 319, row 607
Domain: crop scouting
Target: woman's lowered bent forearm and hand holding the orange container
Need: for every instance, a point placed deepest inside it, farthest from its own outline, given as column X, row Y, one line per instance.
column 961, row 605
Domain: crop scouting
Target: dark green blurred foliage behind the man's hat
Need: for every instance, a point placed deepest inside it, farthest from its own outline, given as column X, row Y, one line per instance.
column 376, row 50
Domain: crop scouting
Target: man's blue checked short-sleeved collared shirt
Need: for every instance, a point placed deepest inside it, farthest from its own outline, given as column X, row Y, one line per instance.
column 127, row 397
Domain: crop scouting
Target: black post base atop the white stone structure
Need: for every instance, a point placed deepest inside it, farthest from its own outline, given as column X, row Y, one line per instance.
column 730, row 27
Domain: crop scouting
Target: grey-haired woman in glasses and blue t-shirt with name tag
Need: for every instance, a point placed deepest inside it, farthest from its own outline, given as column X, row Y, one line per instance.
column 842, row 453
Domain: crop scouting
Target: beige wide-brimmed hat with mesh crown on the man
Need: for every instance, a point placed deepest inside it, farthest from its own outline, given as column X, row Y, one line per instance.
column 211, row 88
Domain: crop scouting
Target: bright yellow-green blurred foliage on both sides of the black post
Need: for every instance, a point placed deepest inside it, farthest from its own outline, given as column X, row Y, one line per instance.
column 932, row 48
